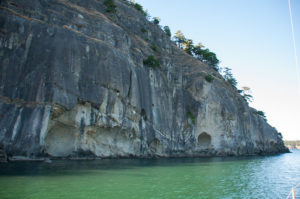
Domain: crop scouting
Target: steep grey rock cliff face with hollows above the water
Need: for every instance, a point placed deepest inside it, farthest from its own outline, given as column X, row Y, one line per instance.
column 73, row 83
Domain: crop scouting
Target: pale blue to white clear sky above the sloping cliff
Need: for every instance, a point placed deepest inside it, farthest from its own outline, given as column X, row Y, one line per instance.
column 254, row 39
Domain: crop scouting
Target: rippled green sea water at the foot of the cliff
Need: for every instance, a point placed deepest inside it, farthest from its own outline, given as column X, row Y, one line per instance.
column 174, row 178
